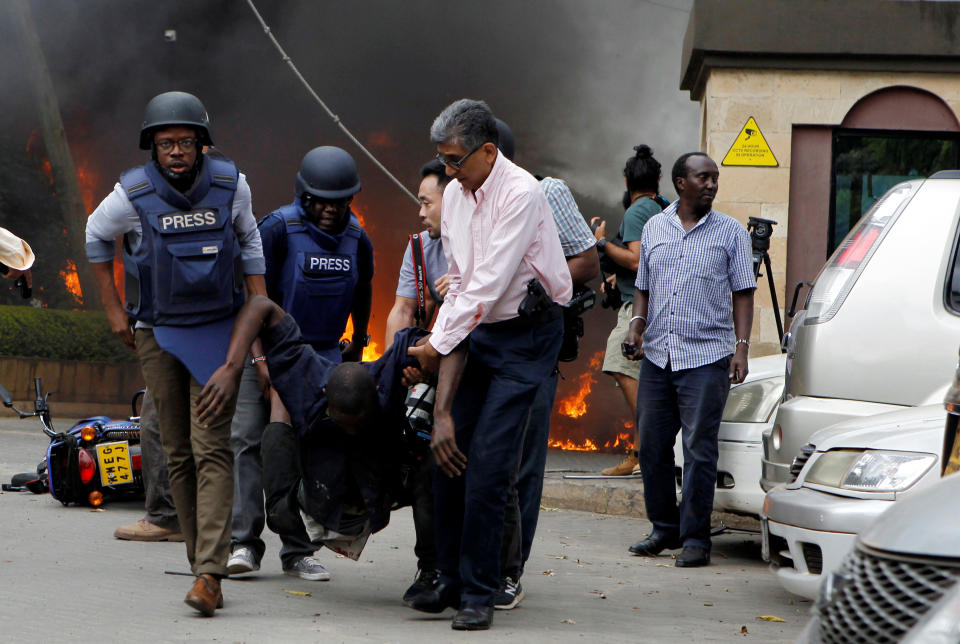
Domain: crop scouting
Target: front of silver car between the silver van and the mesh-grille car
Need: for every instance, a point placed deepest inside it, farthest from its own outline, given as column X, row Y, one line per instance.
column 847, row 476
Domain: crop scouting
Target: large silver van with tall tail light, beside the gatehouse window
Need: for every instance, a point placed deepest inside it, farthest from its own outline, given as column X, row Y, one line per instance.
column 882, row 309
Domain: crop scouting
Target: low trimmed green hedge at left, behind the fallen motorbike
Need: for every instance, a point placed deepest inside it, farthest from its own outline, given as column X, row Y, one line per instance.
column 59, row 335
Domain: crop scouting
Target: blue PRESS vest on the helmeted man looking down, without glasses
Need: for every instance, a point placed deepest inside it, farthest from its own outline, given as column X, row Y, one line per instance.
column 318, row 276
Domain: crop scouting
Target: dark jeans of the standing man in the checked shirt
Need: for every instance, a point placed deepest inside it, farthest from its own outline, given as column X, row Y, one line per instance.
column 691, row 400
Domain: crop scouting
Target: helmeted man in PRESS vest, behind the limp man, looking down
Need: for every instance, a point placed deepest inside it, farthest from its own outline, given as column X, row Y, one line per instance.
column 319, row 267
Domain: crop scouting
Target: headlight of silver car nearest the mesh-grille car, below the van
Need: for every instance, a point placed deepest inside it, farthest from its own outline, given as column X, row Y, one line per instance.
column 869, row 470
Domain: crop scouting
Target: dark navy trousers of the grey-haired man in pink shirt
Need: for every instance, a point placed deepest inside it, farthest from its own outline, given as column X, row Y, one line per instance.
column 508, row 362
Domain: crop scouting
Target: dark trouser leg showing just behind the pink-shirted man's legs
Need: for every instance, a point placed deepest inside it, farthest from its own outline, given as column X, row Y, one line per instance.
column 523, row 500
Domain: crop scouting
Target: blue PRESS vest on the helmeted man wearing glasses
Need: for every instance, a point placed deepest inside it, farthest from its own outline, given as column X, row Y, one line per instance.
column 188, row 267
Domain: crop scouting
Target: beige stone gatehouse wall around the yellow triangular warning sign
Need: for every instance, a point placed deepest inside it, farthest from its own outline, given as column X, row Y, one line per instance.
column 778, row 99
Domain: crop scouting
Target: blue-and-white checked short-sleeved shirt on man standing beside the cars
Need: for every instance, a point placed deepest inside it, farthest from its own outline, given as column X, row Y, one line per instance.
column 689, row 277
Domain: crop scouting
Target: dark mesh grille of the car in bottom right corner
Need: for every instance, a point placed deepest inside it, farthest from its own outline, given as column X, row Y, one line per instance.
column 882, row 597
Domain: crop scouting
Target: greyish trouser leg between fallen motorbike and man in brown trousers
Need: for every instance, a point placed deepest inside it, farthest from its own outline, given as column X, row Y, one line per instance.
column 156, row 482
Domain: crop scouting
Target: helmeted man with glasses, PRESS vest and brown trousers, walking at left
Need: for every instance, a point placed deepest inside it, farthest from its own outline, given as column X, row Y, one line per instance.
column 189, row 235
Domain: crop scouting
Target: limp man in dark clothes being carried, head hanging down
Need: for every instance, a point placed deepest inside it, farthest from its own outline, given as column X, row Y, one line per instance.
column 331, row 447
